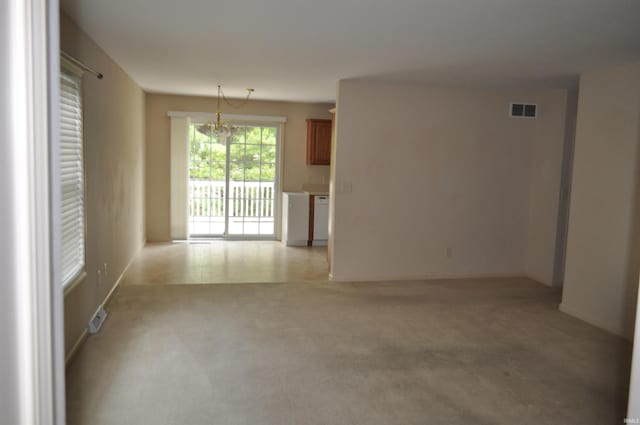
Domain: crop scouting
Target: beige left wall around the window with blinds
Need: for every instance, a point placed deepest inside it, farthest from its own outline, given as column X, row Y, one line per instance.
column 114, row 169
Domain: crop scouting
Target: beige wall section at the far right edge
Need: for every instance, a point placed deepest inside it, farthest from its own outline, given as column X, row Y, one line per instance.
column 601, row 274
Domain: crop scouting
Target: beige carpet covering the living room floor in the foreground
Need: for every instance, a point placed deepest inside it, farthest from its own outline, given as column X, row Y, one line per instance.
column 440, row 352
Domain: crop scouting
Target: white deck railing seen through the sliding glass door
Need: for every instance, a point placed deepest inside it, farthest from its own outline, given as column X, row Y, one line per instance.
column 246, row 199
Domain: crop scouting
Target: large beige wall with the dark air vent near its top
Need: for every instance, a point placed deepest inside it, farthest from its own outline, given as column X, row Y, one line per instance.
column 419, row 170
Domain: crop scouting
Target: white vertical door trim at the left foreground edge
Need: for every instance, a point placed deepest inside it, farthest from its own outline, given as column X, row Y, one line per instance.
column 38, row 302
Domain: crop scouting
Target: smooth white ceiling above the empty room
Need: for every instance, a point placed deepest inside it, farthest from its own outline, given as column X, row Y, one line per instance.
column 298, row 49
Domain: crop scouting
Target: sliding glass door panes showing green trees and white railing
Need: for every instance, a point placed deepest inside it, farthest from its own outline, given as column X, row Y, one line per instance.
column 233, row 182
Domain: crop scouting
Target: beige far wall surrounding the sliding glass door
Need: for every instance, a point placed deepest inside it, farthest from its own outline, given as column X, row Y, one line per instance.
column 295, row 172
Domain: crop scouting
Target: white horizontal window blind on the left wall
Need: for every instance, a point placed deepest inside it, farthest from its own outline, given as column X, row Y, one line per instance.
column 72, row 177
